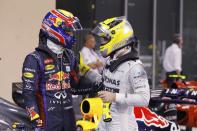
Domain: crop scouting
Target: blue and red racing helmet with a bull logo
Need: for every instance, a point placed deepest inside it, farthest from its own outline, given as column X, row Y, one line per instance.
column 58, row 25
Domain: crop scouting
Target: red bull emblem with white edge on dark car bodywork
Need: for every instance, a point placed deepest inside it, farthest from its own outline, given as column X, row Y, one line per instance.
column 150, row 118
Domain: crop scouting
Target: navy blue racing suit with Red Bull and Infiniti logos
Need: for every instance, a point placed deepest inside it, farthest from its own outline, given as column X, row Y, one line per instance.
column 48, row 82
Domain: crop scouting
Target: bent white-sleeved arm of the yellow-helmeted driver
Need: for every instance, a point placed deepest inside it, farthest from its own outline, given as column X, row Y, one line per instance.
column 139, row 84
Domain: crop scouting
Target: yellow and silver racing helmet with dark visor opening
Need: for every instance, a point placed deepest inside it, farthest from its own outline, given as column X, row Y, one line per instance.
column 114, row 34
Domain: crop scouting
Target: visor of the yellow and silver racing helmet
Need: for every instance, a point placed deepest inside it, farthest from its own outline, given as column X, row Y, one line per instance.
column 102, row 35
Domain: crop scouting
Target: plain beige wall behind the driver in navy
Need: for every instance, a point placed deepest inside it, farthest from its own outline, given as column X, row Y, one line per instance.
column 19, row 26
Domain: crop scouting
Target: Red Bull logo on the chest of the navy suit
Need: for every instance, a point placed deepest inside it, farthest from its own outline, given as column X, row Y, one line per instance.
column 59, row 83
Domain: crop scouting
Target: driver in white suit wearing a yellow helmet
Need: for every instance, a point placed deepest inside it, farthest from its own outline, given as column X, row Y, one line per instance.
column 124, row 78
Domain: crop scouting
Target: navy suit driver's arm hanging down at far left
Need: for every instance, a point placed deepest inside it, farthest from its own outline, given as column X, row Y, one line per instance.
column 30, row 80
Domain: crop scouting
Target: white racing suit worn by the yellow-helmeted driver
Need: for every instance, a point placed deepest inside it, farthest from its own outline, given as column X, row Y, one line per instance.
column 129, row 82
